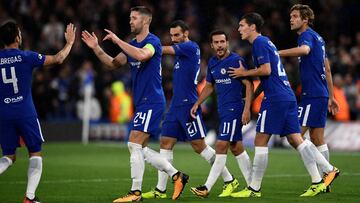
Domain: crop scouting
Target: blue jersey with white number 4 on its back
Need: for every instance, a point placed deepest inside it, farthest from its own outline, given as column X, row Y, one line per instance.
column 16, row 68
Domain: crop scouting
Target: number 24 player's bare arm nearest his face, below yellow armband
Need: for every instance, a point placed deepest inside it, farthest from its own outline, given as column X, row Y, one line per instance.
column 140, row 54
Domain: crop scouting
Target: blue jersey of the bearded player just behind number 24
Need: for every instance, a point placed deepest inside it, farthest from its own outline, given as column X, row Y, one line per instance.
column 186, row 70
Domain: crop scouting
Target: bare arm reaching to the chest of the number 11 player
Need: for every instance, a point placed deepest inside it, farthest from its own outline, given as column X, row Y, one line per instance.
column 263, row 70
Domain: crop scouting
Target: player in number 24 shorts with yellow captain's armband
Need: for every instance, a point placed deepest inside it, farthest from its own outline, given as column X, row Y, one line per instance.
column 143, row 54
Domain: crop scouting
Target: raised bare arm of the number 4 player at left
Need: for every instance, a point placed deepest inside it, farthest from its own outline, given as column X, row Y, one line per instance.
column 64, row 52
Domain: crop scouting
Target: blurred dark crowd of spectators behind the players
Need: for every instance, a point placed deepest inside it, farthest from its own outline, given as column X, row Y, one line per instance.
column 58, row 91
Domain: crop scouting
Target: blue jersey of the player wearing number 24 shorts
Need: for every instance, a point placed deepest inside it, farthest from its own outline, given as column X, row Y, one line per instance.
column 146, row 76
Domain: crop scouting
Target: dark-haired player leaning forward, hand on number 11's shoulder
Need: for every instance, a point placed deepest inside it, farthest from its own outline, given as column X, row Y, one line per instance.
column 278, row 112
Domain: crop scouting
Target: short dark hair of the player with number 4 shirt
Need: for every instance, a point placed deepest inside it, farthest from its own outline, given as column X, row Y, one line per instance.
column 8, row 32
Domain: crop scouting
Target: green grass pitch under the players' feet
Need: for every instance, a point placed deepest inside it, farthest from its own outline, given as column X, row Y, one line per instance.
column 99, row 172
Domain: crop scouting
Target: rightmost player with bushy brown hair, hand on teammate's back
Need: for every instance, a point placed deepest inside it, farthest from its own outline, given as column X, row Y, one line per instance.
column 317, row 88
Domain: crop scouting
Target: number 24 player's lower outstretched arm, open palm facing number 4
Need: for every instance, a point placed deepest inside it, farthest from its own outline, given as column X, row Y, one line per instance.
column 91, row 41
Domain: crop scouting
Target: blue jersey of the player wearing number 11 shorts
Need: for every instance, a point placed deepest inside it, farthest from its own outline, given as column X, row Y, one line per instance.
column 228, row 89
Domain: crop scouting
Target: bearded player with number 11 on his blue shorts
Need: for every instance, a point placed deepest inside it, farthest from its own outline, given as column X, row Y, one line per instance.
column 233, row 112
